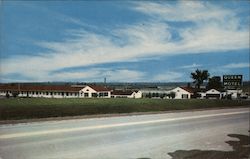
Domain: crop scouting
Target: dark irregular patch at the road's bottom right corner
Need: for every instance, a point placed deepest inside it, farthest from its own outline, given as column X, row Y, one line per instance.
column 241, row 150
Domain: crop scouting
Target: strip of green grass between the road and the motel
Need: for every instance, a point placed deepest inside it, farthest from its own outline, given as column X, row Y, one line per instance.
column 30, row 108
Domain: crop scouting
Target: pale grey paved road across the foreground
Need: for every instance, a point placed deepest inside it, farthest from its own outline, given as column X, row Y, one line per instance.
column 131, row 137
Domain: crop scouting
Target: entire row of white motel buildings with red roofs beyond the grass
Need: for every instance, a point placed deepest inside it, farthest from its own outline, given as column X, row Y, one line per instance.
column 94, row 91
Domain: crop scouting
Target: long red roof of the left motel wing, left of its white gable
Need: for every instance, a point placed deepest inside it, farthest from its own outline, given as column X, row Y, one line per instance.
column 23, row 87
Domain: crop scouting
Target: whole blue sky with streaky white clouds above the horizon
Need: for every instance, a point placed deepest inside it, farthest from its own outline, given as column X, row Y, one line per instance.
column 124, row 41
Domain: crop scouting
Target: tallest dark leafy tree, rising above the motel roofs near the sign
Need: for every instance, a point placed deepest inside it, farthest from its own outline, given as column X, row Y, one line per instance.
column 199, row 76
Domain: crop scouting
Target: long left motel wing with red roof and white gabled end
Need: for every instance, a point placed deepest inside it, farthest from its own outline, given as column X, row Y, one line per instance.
column 55, row 91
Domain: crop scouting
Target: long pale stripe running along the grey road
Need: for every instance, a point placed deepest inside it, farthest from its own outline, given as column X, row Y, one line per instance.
column 65, row 130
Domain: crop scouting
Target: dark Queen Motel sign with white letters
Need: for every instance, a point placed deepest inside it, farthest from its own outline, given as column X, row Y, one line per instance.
column 232, row 80
